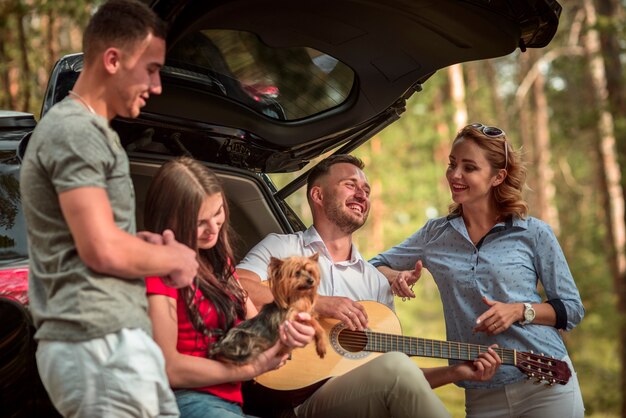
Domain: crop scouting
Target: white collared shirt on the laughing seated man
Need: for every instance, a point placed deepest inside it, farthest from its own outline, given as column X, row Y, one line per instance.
column 355, row 278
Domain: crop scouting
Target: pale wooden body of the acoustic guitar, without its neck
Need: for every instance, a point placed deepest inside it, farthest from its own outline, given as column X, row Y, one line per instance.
column 305, row 368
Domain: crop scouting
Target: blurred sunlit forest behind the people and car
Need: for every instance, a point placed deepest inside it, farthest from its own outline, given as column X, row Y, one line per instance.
column 563, row 105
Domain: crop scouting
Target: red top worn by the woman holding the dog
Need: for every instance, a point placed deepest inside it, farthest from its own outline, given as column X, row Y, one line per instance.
column 191, row 342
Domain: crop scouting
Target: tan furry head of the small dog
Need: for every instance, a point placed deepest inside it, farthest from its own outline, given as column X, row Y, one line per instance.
column 294, row 279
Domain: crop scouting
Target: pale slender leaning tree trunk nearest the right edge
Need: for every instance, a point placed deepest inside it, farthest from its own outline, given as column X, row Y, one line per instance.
column 611, row 177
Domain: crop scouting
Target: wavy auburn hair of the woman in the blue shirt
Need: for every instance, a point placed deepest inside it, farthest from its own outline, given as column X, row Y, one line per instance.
column 506, row 196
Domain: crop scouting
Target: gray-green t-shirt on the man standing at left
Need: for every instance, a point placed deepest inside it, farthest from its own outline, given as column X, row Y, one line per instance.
column 73, row 148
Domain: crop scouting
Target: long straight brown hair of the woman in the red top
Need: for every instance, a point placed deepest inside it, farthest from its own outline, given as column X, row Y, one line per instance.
column 173, row 201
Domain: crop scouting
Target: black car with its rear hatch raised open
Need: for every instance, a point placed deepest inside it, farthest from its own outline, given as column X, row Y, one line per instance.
column 253, row 88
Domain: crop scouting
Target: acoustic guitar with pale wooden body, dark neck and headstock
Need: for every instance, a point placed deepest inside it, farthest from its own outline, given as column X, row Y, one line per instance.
column 350, row 349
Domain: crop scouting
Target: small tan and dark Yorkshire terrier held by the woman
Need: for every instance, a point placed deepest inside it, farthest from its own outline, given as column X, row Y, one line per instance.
column 294, row 282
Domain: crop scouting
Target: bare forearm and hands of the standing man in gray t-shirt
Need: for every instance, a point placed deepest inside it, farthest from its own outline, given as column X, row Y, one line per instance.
column 105, row 248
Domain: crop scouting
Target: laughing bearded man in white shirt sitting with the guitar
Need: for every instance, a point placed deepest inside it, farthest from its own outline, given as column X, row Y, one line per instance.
column 391, row 384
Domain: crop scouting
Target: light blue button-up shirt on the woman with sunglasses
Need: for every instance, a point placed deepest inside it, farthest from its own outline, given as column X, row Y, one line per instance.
column 506, row 267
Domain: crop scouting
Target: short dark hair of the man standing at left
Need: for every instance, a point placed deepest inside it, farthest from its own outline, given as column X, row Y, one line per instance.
column 120, row 24
